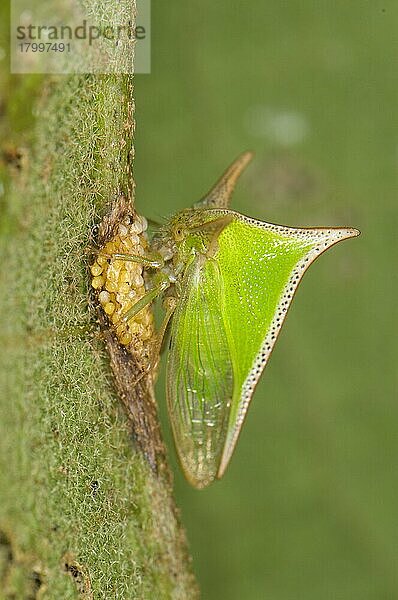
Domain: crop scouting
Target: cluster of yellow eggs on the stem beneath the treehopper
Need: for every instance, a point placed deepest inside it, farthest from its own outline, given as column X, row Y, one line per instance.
column 120, row 283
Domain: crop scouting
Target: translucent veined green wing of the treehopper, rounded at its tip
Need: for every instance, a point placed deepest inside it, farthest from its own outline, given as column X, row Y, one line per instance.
column 199, row 373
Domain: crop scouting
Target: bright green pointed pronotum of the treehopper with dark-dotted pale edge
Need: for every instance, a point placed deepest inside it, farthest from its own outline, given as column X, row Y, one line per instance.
column 260, row 266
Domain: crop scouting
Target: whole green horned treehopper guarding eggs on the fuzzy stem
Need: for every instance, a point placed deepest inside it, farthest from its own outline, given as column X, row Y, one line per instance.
column 227, row 281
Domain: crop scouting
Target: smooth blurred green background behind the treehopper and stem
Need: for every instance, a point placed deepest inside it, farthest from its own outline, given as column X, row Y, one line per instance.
column 308, row 508
